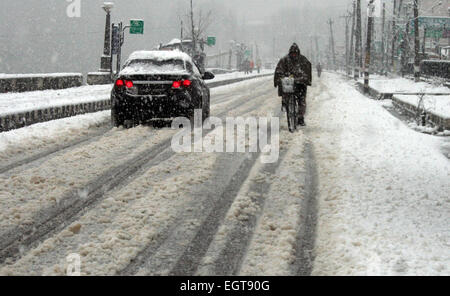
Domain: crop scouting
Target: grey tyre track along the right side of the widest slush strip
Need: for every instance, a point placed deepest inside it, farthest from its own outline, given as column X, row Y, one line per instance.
column 163, row 254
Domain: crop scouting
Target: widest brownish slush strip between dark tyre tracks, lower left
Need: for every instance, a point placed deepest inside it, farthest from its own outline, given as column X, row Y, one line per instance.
column 111, row 234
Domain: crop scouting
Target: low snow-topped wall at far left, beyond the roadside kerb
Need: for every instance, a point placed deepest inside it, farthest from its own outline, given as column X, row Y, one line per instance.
column 32, row 82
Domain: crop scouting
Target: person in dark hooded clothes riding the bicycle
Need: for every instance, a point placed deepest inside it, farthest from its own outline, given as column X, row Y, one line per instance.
column 297, row 66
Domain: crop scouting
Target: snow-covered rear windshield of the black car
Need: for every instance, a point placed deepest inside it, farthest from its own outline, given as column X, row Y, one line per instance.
column 154, row 66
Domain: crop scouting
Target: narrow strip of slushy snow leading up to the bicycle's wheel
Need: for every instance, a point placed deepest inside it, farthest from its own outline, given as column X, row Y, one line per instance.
column 272, row 250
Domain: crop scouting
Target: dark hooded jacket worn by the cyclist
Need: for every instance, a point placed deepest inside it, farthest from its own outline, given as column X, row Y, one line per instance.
column 299, row 67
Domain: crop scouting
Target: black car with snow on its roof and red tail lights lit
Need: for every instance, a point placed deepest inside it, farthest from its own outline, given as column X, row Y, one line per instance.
column 155, row 85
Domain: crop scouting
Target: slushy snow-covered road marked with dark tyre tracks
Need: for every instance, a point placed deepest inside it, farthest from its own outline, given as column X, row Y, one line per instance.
column 355, row 192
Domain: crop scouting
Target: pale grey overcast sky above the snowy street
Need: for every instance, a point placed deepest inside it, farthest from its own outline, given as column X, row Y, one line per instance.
column 37, row 36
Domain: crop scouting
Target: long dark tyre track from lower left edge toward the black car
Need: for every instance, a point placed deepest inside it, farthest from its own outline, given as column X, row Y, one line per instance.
column 51, row 220
